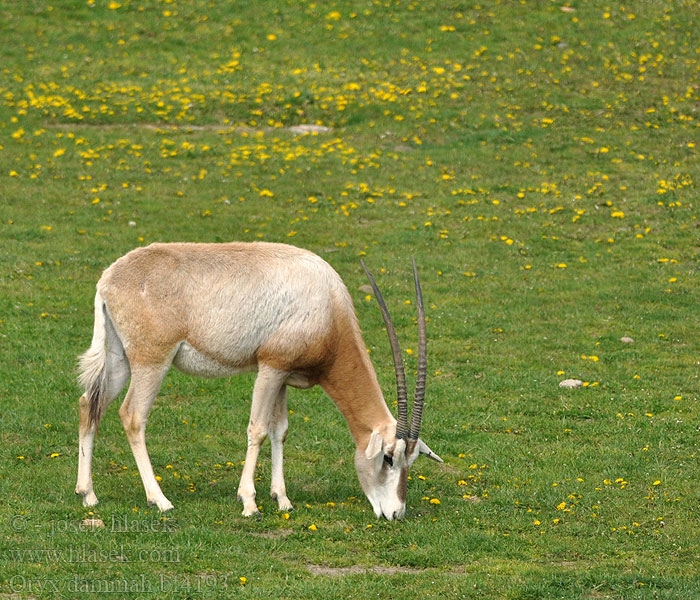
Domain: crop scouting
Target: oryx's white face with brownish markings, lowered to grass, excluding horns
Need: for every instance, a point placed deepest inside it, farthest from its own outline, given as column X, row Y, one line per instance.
column 382, row 470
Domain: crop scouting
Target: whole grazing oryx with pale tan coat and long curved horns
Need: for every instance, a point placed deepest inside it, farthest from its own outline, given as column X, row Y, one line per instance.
column 215, row 310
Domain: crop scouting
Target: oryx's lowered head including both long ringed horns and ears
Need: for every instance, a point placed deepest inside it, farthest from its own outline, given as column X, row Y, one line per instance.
column 382, row 467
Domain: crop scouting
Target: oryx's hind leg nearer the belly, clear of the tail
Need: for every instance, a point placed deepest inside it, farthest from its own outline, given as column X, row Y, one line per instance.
column 145, row 383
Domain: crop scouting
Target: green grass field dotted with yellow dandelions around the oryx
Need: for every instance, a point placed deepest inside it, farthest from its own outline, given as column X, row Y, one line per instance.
column 540, row 161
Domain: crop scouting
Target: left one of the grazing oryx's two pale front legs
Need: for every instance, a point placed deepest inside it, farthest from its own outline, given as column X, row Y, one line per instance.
column 268, row 386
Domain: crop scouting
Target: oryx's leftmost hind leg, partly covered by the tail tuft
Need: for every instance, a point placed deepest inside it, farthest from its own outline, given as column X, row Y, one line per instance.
column 118, row 370
